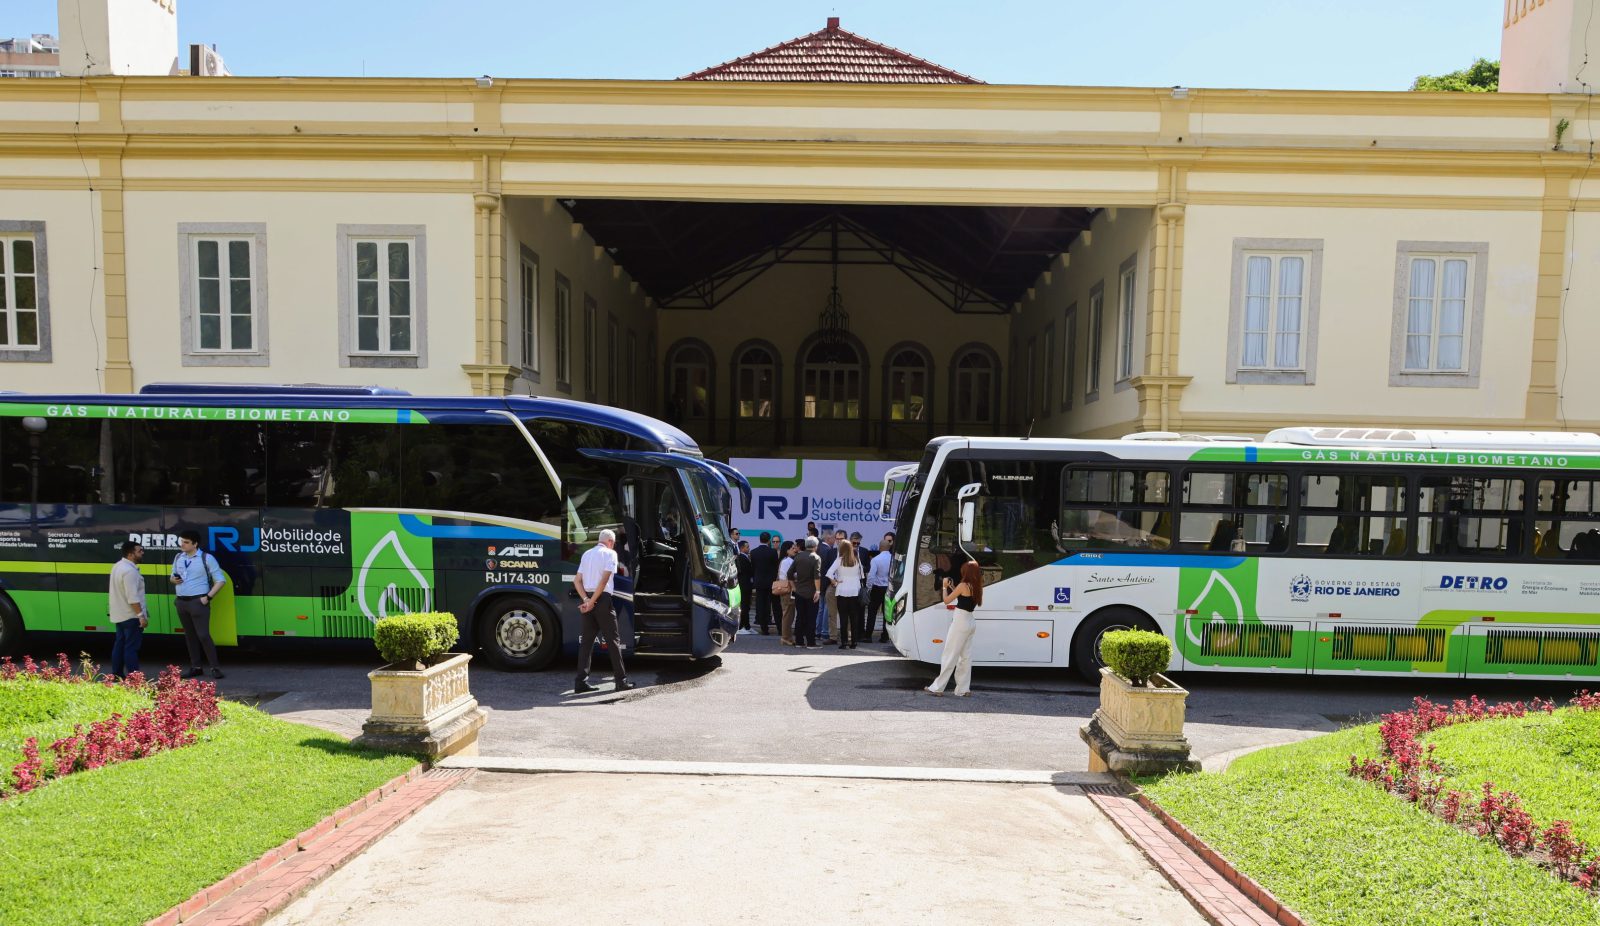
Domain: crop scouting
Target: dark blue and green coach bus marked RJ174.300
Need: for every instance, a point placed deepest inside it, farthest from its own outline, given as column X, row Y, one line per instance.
column 334, row 508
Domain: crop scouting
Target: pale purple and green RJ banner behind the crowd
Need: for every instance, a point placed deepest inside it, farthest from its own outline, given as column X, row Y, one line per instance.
column 833, row 493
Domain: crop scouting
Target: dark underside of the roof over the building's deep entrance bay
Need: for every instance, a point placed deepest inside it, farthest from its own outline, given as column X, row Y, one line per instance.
column 692, row 255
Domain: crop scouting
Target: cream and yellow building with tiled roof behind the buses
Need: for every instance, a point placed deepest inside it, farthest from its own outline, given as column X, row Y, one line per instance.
column 828, row 247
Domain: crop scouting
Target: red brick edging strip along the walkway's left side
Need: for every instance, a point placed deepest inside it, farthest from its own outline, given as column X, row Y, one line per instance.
column 265, row 887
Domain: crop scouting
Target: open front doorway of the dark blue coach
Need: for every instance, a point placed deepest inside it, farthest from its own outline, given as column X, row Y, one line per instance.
column 657, row 557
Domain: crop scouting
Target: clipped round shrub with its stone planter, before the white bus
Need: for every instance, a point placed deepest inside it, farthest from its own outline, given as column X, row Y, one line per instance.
column 1140, row 724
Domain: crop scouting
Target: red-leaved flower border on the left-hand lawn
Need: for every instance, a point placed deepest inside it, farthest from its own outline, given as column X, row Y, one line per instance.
column 182, row 708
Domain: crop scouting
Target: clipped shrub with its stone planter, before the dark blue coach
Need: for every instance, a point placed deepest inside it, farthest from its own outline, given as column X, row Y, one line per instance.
column 422, row 703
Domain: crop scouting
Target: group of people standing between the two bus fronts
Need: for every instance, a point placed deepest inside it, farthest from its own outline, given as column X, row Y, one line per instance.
column 817, row 589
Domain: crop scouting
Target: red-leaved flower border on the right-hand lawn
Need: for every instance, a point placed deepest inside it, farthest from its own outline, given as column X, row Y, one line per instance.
column 1409, row 770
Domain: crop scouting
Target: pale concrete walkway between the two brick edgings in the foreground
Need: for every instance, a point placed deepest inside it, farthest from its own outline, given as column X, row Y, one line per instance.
column 681, row 848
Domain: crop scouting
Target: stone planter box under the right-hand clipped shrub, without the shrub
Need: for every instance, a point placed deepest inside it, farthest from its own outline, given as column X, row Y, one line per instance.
column 1138, row 730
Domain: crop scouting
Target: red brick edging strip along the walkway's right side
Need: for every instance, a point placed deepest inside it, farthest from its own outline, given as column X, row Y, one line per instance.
column 1220, row 892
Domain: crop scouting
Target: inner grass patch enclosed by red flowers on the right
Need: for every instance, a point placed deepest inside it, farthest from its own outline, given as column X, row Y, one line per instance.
column 1551, row 760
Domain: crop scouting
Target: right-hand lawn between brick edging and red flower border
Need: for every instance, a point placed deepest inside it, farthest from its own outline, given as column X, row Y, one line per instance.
column 1345, row 853
